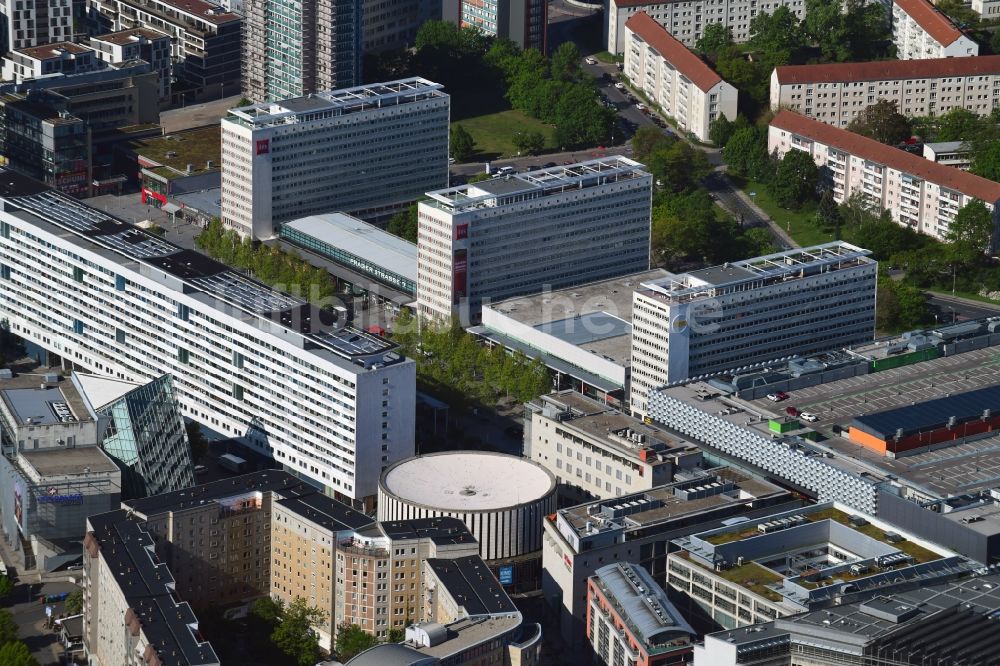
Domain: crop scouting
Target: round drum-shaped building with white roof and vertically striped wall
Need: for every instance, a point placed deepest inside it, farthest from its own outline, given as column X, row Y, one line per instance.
column 502, row 499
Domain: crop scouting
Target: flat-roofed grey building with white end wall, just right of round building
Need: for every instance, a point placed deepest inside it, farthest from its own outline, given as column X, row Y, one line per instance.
column 639, row 528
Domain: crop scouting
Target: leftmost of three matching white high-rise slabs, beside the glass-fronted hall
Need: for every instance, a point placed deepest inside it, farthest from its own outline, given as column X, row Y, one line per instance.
column 367, row 150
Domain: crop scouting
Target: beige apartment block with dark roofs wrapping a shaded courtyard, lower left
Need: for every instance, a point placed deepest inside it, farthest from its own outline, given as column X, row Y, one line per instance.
column 266, row 533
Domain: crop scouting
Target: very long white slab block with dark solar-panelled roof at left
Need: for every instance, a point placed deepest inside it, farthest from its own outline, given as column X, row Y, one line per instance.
column 333, row 406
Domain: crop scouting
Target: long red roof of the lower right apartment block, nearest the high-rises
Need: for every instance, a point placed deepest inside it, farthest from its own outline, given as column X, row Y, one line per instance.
column 869, row 149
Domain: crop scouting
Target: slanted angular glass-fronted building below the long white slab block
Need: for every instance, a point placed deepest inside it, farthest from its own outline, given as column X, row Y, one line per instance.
column 145, row 436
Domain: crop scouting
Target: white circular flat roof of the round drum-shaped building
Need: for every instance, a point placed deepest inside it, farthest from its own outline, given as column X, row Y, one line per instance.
column 468, row 481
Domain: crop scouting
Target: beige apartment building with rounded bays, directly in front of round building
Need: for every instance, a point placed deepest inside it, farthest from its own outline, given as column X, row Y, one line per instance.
column 379, row 569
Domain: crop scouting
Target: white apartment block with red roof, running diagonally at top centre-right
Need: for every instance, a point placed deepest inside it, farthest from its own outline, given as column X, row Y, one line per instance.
column 677, row 80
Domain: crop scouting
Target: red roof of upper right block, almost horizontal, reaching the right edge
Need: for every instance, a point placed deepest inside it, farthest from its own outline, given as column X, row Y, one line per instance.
column 883, row 70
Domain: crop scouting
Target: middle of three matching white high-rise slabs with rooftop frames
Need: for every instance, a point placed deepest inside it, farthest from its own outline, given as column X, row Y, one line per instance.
column 512, row 235
